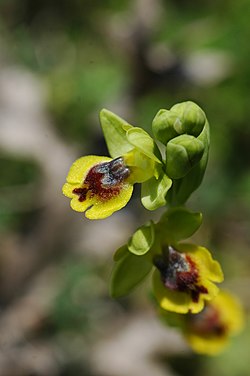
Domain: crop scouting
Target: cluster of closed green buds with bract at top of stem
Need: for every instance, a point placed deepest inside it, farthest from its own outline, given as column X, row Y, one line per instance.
column 184, row 131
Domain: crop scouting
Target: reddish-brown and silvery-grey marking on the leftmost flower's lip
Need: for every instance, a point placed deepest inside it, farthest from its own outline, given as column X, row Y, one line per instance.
column 104, row 180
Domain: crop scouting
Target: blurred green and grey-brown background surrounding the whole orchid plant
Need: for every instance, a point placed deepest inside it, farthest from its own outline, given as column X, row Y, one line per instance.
column 61, row 62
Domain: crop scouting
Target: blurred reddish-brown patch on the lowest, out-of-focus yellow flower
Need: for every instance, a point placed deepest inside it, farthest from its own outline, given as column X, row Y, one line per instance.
column 207, row 323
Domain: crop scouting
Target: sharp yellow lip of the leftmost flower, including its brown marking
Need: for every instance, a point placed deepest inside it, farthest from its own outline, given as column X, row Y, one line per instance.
column 98, row 185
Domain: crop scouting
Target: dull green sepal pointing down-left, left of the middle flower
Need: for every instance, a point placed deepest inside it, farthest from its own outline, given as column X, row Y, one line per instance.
column 127, row 273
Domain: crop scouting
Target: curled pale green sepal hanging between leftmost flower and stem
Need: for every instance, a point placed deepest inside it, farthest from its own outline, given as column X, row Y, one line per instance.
column 154, row 191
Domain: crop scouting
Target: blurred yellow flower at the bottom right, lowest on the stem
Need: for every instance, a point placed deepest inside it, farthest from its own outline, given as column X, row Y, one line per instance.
column 209, row 331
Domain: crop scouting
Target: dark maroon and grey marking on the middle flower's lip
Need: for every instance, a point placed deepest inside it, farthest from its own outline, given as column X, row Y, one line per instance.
column 179, row 273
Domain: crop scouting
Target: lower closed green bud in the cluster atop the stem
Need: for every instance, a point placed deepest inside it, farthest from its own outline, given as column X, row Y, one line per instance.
column 182, row 153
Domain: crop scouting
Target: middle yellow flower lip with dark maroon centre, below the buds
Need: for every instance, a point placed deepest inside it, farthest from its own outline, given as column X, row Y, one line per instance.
column 184, row 278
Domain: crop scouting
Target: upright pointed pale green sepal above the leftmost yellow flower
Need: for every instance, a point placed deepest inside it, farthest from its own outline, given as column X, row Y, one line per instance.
column 115, row 129
